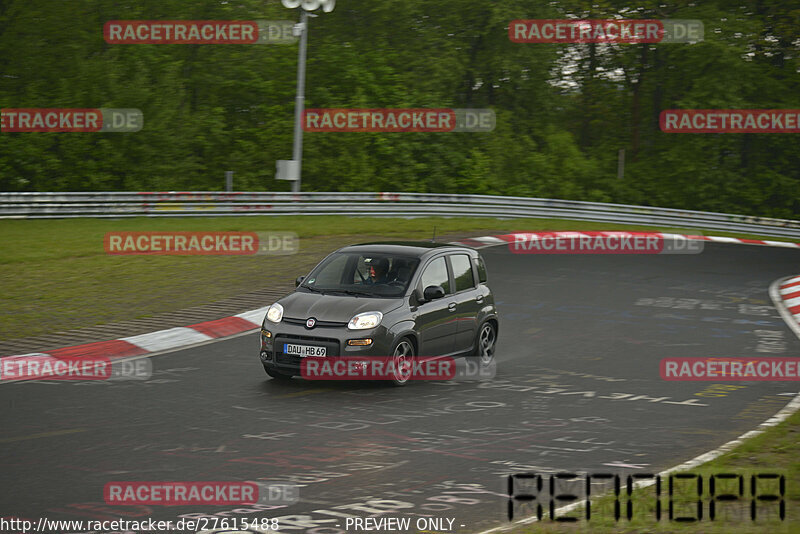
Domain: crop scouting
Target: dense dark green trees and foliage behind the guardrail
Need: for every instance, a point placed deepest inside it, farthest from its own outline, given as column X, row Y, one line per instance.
column 211, row 108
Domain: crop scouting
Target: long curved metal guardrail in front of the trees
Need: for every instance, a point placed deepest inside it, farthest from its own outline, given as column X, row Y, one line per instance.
column 204, row 204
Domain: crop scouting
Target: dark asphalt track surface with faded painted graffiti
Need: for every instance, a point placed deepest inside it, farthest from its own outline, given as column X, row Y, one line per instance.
column 577, row 389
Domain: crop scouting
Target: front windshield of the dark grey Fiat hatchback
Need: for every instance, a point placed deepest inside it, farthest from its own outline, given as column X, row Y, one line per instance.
column 362, row 274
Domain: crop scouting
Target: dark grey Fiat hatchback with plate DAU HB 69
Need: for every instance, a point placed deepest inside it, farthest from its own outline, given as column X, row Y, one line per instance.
column 392, row 300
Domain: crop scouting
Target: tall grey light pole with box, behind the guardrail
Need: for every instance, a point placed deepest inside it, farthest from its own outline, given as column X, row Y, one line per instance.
column 291, row 170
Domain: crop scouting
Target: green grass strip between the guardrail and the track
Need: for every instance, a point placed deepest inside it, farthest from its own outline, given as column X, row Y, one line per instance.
column 56, row 275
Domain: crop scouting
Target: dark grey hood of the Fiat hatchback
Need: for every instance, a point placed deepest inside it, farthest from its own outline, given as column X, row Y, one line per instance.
column 339, row 308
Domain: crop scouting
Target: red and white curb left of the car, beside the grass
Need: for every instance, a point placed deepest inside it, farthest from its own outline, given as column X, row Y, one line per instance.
column 163, row 340
